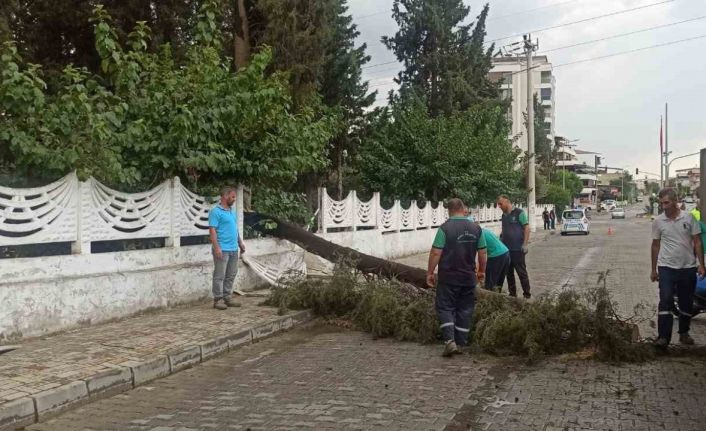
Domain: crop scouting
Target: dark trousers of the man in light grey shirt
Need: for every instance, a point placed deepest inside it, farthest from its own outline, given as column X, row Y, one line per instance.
column 683, row 283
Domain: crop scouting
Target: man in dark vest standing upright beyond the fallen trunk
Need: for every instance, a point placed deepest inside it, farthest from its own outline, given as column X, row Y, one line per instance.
column 515, row 235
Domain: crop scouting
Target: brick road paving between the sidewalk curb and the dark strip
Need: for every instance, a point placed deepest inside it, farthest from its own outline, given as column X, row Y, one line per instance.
column 321, row 378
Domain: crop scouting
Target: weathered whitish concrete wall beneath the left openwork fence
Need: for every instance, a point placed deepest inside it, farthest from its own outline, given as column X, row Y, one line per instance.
column 43, row 295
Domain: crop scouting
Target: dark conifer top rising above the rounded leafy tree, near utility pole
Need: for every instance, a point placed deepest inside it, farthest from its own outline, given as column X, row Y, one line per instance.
column 444, row 61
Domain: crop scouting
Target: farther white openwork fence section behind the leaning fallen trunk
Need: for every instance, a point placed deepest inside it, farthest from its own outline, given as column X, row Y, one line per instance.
column 351, row 214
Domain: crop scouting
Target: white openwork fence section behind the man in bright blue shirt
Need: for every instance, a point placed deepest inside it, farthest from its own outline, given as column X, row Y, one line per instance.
column 83, row 212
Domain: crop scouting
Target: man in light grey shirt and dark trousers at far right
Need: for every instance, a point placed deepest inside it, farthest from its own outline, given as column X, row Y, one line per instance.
column 676, row 246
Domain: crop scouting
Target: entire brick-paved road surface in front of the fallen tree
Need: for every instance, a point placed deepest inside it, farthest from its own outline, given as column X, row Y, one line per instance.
column 325, row 378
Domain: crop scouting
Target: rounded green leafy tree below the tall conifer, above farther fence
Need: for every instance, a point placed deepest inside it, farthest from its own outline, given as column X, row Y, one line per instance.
column 465, row 154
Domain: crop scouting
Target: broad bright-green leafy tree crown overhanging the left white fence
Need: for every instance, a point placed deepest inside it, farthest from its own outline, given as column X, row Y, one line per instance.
column 148, row 117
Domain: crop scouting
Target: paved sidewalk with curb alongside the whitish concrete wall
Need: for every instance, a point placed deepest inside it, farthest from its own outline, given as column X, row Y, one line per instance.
column 47, row 374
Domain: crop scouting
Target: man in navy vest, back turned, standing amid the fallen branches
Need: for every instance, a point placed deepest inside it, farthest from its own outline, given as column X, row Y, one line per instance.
column 454, row 251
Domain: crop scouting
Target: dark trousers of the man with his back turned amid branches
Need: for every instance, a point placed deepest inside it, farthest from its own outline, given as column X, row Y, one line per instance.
column 454, row 308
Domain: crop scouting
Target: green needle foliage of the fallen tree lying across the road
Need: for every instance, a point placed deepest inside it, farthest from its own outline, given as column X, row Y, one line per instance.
column 550, row 325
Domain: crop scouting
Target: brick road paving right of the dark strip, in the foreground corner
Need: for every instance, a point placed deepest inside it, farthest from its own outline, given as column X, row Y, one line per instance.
column 585, row 395
